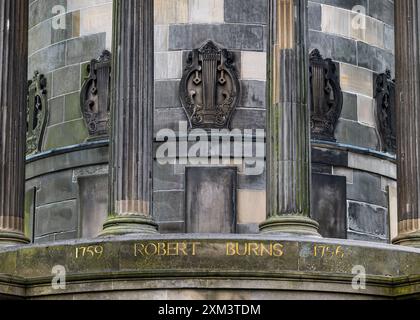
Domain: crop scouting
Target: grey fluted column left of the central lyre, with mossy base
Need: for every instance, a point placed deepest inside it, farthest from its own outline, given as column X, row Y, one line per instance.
column 132, row 125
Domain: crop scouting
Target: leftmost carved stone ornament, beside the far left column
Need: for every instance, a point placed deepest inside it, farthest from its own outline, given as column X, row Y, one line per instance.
column 37, row 113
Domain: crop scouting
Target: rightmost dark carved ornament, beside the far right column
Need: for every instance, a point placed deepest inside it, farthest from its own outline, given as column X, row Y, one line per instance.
column 385, row 111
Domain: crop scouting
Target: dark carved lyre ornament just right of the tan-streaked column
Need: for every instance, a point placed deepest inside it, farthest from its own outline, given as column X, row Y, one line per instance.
column 326, row 97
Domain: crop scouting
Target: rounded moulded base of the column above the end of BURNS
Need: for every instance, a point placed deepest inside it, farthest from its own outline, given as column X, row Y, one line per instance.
column 290, row 224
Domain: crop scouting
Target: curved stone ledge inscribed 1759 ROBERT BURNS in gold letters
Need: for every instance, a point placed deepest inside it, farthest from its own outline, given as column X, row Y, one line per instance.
column 273, row 267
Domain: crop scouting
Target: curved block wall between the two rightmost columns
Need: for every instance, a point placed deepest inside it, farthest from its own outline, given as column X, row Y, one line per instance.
column 359, row 37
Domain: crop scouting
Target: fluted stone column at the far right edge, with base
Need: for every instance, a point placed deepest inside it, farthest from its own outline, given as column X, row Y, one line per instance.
column 407, row 52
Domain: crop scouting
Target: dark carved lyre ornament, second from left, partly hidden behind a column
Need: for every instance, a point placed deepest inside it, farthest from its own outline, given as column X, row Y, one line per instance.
column 94, row 96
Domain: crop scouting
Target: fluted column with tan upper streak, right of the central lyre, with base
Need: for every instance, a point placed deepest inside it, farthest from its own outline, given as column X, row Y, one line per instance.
column 288, row 130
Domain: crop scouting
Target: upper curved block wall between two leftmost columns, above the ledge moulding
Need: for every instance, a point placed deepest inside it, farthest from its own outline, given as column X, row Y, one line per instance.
column 63, row 36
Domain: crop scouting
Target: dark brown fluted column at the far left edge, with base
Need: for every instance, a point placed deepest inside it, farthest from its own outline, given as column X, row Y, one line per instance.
column 13, row 87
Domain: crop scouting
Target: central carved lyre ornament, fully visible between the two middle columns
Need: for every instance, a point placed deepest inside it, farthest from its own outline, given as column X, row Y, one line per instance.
column 210, row 88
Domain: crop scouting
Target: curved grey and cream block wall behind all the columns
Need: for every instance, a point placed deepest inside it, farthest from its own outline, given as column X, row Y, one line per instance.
column 60, row 203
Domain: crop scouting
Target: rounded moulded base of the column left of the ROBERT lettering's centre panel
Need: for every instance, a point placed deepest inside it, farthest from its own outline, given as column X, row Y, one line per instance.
column 124, row 225
